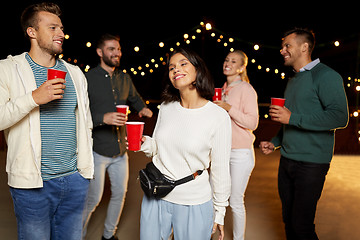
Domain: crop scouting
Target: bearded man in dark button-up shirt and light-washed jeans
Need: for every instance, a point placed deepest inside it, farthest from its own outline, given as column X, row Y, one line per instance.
column 108, row 87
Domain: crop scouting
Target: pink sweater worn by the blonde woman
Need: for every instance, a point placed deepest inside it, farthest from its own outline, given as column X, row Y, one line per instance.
column 244, row 114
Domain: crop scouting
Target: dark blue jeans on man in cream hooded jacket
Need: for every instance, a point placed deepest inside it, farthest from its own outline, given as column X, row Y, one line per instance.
column 53, row 211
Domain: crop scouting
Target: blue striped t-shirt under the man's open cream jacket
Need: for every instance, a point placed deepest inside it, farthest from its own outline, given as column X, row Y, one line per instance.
column 58, row 126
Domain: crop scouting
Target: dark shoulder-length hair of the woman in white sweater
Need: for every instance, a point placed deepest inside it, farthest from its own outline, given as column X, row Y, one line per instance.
column 203, row 83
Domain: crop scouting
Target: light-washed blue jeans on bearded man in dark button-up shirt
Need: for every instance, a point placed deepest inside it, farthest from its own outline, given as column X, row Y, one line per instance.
column 118, row 170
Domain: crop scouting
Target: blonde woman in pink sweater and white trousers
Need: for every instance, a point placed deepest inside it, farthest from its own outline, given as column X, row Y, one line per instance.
column 239, row 99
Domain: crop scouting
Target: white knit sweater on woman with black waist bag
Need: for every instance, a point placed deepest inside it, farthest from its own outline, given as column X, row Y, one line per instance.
column 187, row 140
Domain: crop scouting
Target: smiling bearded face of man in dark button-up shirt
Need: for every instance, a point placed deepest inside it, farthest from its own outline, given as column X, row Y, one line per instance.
column 110, row 53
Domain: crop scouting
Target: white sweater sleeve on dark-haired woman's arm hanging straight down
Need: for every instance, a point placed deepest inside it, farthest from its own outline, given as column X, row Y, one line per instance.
column 219, row 170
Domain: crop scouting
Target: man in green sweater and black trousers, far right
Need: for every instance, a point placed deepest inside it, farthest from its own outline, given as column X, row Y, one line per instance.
column 315, row 107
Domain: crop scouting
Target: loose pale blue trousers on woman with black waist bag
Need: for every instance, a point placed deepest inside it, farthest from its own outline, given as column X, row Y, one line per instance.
column 190, row 222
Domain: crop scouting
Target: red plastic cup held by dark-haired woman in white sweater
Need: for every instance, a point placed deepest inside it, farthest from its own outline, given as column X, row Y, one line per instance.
column 134, row 132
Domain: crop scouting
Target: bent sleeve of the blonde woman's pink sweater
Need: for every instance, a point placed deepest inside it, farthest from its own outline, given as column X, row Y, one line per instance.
column 246, row 115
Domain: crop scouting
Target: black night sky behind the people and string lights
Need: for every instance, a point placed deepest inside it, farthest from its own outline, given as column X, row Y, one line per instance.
column 147, row 24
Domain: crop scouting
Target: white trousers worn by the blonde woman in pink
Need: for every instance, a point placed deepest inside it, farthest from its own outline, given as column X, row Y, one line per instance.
column 242, row 162
